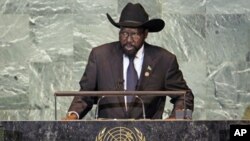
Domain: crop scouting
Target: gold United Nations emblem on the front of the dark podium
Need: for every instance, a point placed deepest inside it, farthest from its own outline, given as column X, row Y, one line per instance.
column 120, row 134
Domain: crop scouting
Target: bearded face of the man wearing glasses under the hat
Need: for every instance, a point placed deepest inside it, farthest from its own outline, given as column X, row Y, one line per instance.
column 131, row 39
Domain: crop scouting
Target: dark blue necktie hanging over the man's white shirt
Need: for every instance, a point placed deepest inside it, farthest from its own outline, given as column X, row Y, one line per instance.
column 132, row 78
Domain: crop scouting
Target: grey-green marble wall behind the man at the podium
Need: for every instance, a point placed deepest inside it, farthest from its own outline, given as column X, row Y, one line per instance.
column 44, row 46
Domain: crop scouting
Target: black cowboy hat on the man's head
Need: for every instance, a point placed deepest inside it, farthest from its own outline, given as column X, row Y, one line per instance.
column 134, row 15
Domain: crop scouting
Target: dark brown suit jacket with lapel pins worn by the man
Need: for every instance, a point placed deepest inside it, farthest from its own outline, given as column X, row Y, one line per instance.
column 104, row 72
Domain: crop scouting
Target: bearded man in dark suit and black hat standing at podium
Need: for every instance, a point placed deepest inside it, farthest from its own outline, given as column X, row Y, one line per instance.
column 131, row 64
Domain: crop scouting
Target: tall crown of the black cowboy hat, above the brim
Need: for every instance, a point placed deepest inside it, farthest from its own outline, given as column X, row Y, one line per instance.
column 134, row 13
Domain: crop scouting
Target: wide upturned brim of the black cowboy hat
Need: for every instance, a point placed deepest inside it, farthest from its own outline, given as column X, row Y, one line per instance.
column 153, row 25
